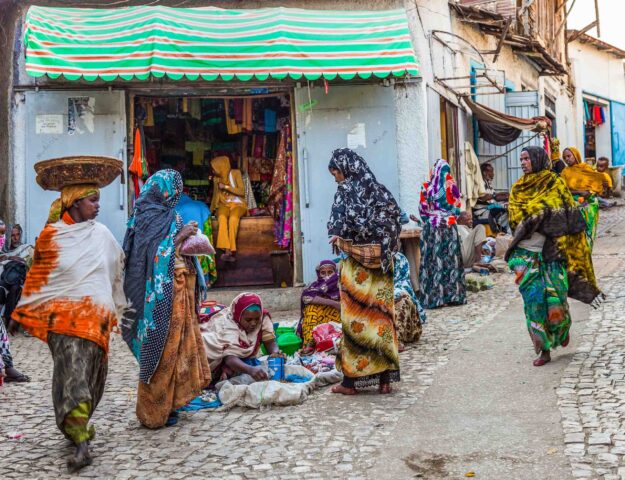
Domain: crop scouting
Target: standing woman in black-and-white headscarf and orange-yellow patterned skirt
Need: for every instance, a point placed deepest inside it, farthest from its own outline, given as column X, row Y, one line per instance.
column 365, row 227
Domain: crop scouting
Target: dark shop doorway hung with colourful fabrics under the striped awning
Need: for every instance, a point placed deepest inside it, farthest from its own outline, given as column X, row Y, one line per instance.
column 254, row 133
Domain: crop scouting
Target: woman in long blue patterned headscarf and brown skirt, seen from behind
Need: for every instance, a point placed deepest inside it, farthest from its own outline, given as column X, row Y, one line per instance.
column 162, row 332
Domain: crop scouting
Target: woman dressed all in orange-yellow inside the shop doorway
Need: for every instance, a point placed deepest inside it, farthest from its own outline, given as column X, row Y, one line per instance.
column 229, row 204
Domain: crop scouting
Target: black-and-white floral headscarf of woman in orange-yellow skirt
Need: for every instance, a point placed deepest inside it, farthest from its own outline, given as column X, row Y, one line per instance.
column 364, row 210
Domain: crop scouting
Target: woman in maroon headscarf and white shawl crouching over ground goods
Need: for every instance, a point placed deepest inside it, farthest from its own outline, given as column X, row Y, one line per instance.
column 233, row 337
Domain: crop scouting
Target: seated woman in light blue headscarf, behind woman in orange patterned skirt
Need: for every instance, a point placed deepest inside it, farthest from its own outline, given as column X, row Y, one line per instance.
column 409, row 314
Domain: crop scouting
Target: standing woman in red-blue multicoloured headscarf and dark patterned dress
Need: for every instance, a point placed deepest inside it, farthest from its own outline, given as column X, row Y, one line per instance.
column 441, row 275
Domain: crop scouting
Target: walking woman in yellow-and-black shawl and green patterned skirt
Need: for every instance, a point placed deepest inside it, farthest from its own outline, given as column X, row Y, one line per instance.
column 549, row 253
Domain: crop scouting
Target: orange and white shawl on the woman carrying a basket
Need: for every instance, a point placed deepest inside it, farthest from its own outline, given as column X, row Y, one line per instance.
column 75, row 285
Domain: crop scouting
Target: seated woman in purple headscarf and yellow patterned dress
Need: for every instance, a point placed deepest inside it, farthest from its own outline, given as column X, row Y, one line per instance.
column 320, row 302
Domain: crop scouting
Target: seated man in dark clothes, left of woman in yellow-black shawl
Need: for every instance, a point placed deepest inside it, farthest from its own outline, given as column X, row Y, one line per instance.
column 491, row 209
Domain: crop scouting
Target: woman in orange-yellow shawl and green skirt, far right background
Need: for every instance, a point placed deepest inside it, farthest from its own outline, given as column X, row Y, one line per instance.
column 585, row 184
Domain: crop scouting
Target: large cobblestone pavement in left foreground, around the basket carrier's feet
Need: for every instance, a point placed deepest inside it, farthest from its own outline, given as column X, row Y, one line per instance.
column 327, row 436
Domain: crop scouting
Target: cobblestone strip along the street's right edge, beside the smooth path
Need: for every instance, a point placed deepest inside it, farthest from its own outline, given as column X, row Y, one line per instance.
column 591, row 394
